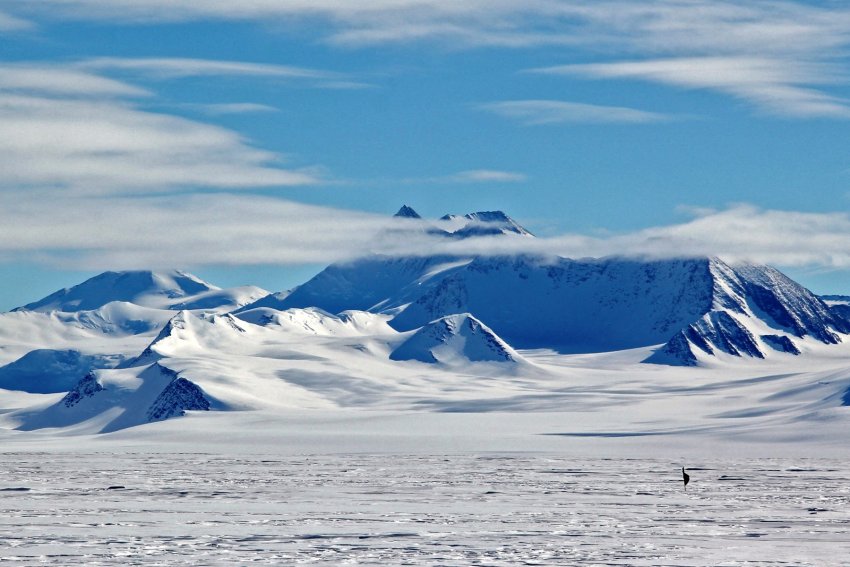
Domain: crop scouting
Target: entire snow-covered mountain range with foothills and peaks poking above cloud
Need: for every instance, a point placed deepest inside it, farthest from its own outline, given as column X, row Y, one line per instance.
column 126, row 348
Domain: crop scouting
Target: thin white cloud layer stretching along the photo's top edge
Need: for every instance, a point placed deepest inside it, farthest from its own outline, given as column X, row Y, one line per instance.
column 758, row 26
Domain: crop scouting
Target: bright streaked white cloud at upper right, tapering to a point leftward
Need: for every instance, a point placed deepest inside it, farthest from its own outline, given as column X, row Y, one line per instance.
column 777, row 85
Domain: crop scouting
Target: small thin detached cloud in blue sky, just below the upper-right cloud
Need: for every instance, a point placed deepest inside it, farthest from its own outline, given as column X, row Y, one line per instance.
column 536, row 112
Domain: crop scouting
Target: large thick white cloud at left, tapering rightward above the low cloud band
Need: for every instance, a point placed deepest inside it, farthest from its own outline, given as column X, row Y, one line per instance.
column 74, row 130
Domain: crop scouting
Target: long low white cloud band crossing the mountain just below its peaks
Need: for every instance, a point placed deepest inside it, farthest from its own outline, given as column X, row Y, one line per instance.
column 218, row 228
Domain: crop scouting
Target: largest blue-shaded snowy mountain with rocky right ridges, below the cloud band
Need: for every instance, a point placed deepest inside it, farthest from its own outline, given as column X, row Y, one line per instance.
column 588, row 305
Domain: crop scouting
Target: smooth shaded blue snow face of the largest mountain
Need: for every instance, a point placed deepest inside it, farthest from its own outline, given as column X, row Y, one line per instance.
column 570, row 305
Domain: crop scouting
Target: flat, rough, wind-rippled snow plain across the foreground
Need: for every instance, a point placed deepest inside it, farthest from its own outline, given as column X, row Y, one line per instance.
column 419, row 509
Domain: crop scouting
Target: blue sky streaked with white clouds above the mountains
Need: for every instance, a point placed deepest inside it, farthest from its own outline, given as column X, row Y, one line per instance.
column 257, row 141
